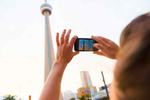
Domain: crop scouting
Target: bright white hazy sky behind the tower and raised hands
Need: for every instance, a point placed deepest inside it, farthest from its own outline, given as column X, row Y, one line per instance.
column 22, row 37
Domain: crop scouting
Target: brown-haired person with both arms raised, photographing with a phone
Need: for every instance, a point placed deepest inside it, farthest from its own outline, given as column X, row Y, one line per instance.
column 132, row 70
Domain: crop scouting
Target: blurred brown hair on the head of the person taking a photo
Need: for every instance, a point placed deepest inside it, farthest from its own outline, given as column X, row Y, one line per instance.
column 133, row 77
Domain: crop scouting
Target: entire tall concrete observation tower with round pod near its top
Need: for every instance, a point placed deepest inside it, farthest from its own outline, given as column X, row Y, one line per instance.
column 46, row 11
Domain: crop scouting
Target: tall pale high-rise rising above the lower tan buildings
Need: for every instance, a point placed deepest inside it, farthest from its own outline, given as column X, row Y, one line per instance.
column 85, row 79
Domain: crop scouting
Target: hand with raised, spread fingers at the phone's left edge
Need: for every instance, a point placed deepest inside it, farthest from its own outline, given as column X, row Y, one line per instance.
column 64, row 47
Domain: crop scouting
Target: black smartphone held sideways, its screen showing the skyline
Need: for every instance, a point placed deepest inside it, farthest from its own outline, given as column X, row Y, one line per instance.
column 85, row 44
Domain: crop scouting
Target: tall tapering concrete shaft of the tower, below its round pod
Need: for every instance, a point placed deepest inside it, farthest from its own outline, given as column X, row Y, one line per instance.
column 49, row 51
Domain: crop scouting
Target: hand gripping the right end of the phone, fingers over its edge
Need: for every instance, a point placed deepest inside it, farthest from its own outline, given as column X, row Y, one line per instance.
column 107, row 47
